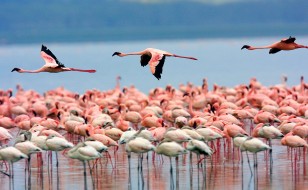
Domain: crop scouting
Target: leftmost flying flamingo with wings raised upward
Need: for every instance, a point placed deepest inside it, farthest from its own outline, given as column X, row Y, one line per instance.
column 52, row 64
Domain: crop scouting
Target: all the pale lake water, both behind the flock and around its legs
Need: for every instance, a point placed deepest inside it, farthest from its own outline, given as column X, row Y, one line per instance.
column 220, row 61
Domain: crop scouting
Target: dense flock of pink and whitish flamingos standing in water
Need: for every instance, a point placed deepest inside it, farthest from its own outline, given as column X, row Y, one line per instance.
column 168, row 122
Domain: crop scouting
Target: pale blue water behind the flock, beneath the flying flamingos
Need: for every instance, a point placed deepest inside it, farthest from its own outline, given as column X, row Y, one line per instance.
column 220, row 61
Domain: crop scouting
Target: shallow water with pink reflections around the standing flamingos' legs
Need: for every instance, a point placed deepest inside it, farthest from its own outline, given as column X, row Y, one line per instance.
column 224, row 170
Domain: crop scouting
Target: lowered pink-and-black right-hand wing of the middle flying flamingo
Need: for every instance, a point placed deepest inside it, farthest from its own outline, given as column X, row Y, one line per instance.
column 156, row 64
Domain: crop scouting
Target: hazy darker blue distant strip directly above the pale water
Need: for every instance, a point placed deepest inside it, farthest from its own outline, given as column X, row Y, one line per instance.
column 155, row 33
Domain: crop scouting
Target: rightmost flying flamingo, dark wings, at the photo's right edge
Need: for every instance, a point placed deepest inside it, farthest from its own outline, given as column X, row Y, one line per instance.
column 284, row 44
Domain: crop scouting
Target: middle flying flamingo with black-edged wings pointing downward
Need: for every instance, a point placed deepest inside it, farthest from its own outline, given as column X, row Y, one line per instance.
column 154, row 57
